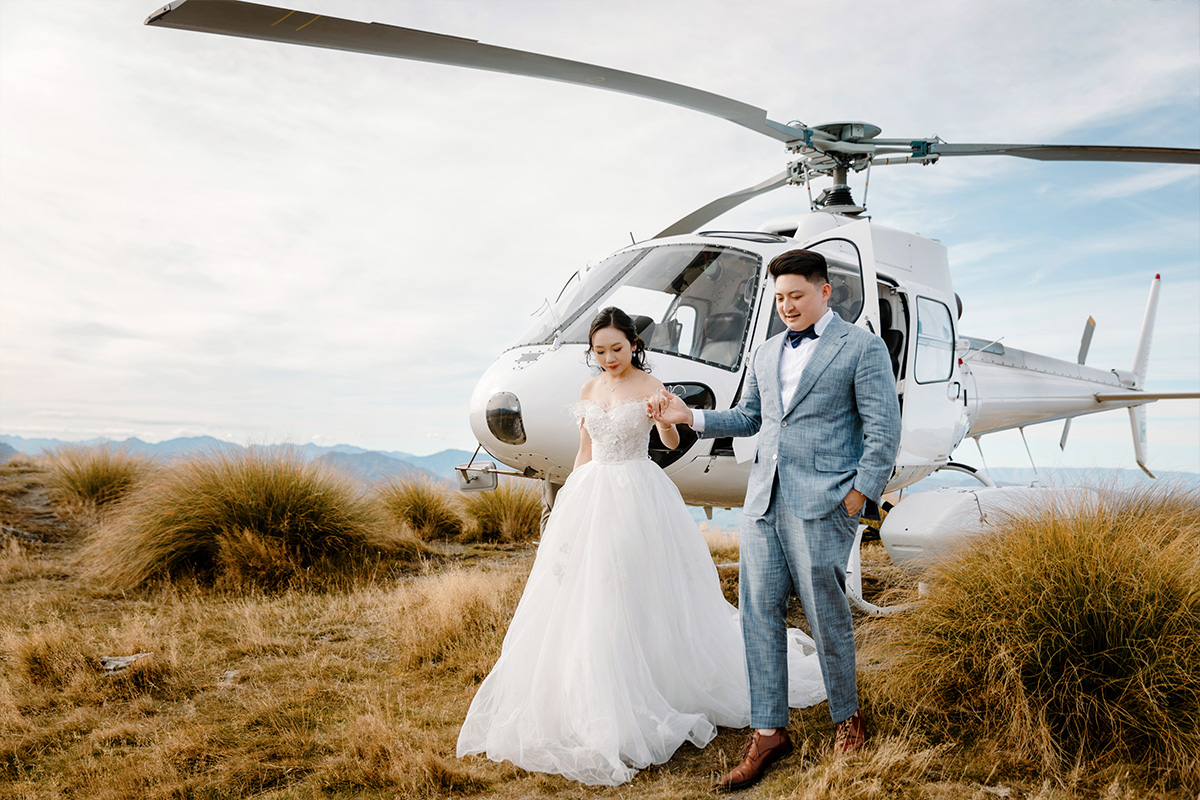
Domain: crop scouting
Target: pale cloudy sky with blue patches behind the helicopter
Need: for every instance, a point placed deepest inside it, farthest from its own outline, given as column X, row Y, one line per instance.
column 203, row 236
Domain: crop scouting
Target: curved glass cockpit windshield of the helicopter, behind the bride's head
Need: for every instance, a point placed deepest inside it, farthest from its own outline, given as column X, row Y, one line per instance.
column 688, row 300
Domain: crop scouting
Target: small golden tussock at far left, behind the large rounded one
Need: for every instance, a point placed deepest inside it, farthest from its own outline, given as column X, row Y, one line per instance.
column 95, row 477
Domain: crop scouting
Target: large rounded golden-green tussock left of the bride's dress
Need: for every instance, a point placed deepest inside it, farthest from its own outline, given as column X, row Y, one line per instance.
column 262, row 519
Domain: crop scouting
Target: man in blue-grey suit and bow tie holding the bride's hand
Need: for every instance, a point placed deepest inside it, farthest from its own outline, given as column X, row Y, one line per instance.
column 824, row 402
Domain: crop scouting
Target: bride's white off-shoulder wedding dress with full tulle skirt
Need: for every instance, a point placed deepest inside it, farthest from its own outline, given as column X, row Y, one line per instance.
column 623, row 646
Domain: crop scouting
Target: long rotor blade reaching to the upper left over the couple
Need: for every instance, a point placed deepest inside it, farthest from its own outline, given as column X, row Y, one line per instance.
column 274, row 25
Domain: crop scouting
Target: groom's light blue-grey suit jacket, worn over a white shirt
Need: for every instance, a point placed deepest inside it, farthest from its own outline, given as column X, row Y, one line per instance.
column 839, row 431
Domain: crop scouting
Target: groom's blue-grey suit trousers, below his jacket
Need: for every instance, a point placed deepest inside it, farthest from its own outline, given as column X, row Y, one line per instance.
column 782, row 554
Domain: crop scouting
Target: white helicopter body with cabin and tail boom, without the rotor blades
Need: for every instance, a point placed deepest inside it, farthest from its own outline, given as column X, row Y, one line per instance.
column 893, row 284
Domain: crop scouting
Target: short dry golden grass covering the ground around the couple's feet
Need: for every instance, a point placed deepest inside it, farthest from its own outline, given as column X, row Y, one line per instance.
column 361, row 693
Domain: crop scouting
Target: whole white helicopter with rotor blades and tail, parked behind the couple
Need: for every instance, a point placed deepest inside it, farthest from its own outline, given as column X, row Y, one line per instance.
column 703, row 300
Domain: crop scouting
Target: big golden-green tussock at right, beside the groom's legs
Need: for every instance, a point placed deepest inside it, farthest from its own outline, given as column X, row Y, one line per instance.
column 1073, row 639
